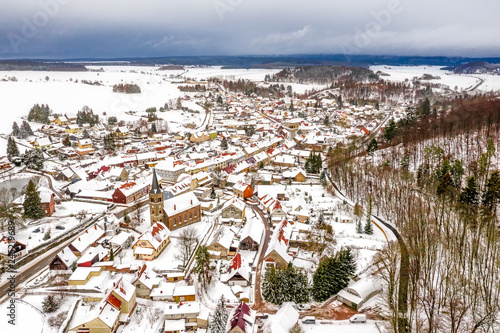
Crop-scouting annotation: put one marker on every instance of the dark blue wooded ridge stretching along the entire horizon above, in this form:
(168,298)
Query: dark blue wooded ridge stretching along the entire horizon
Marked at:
(249,61)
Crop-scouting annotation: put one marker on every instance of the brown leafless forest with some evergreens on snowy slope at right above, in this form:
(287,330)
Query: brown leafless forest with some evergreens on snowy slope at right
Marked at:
(436,180)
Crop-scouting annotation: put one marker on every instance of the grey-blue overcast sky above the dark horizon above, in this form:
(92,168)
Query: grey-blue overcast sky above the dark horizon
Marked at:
(152,28)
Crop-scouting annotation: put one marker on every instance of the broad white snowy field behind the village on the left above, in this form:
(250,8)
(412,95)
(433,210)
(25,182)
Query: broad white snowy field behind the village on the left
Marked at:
(65,93)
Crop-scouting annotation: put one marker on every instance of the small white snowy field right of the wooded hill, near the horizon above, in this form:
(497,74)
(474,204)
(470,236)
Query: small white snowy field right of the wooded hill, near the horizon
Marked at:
(401,73)
